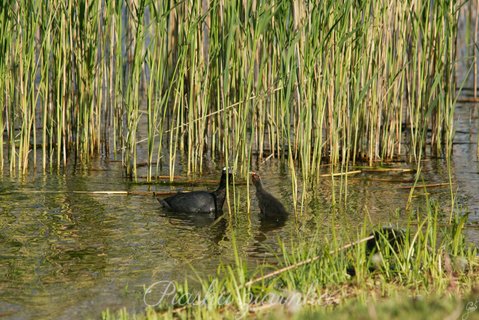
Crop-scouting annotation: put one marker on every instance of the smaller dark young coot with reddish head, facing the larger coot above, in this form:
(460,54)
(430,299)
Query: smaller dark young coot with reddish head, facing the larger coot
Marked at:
(270,207)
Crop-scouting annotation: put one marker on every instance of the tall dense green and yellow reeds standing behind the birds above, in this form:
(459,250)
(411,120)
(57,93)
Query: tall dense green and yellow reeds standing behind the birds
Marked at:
(171,82)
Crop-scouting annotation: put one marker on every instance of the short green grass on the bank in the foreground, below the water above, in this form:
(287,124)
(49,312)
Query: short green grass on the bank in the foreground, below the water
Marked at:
(434,268)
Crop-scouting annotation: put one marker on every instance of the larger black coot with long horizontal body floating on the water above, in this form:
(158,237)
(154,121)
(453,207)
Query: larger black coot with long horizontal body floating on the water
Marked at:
(199,201)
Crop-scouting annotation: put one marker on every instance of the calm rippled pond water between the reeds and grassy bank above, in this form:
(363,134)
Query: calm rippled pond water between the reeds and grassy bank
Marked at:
(69,256)
